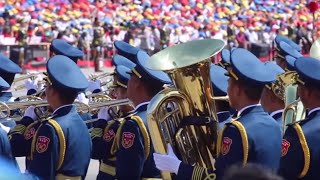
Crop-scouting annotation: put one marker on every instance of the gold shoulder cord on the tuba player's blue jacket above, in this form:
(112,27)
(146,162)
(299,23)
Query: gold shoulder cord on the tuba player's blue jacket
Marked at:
(244,139)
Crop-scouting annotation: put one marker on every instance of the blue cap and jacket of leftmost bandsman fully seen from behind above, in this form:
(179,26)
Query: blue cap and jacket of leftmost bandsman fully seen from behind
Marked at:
(61,146)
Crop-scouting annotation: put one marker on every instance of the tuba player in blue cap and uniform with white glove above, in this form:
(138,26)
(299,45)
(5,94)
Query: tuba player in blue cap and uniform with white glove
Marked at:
(243,140)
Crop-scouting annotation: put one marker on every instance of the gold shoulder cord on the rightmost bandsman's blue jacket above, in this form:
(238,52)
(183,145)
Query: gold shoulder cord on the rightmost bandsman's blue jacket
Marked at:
(305,148)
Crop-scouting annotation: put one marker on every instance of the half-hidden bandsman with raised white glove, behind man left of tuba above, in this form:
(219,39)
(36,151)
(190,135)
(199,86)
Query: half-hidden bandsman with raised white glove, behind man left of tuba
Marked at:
(105,129)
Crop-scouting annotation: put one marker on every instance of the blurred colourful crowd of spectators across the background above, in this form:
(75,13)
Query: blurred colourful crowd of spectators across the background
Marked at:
(153,25)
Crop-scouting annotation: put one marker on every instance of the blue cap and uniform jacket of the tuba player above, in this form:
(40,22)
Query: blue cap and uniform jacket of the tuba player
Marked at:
(244,139)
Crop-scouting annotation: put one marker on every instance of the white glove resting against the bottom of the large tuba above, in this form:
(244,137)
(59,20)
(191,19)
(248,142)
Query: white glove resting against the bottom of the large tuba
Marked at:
(169,162)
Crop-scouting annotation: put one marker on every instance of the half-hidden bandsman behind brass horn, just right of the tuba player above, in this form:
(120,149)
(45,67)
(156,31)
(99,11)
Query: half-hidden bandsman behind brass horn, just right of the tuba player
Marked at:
(272,99)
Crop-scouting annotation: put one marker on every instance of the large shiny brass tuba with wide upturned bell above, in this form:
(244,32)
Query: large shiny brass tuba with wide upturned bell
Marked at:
(188,66)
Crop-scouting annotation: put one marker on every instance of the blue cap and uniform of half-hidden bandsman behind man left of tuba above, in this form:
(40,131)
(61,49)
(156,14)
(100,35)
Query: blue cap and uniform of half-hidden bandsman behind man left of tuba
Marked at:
(104,131)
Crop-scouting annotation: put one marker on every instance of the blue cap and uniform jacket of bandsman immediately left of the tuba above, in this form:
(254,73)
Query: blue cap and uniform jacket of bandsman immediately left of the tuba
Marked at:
(132,140)
